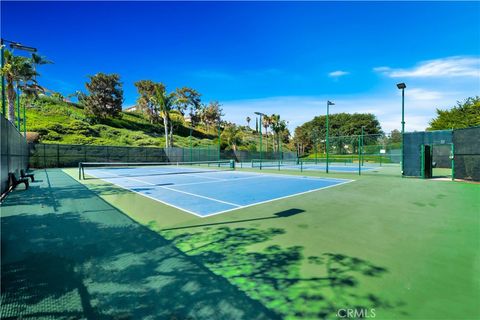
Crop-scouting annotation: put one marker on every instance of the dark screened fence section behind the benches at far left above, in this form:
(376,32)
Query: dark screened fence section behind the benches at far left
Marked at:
(13,150)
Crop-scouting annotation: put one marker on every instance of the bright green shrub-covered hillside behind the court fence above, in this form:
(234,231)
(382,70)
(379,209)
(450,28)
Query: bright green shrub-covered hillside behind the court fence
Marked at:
(53,121)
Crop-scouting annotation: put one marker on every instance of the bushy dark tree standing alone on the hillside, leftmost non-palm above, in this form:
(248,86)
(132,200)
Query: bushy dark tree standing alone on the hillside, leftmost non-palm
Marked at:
(105,96)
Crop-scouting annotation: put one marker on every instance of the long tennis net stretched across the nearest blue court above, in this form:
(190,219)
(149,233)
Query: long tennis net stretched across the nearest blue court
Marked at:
(89,170)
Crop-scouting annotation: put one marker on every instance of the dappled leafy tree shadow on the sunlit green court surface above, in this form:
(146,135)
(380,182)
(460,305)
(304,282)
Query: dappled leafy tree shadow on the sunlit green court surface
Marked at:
(273,276)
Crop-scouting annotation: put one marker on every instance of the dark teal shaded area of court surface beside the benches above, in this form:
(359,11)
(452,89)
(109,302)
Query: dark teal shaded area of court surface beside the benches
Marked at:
(66,253)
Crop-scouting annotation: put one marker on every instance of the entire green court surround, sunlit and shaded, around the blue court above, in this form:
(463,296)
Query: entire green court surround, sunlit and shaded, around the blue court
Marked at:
(406,248)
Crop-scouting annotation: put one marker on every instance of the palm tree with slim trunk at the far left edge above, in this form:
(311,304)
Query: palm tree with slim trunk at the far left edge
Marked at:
(18,71)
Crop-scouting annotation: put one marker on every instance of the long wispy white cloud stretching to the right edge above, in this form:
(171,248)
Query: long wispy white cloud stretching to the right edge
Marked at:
(458,66)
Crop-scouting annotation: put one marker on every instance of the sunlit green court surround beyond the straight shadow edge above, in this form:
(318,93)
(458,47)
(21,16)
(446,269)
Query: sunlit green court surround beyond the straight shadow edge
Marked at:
(408,248)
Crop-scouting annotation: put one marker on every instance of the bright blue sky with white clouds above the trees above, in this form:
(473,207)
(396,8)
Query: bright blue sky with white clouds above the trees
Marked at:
(287,58)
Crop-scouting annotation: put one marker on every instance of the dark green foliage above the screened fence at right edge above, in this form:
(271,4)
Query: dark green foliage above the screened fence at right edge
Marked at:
(463,115)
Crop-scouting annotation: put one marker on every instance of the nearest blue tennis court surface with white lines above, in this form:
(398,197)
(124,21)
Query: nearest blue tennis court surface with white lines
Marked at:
(209,192)
